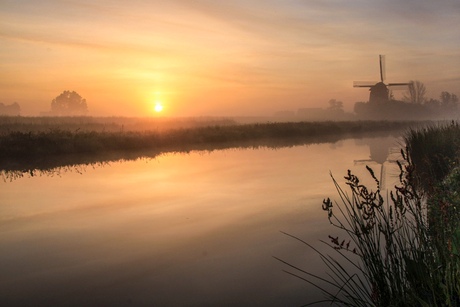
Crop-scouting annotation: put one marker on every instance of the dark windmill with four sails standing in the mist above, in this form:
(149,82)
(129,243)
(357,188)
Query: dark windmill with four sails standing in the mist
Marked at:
(378,90)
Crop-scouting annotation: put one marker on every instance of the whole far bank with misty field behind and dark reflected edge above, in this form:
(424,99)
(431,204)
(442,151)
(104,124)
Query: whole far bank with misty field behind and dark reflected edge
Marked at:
(28,144)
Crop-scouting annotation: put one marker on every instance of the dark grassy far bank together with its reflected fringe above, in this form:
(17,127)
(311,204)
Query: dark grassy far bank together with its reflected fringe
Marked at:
(51,148)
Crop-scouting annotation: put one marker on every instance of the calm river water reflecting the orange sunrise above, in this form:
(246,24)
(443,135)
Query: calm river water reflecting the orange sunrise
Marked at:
(191,229)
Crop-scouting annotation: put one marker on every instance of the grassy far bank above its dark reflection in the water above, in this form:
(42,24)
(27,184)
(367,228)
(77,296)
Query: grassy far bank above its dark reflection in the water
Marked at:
(18,143)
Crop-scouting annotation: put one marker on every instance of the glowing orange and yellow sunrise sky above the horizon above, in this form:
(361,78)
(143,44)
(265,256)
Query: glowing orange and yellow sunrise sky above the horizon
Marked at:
(213,57)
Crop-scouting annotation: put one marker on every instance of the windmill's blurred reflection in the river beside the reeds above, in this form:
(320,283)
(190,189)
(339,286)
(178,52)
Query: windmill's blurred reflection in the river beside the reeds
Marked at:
(383,152)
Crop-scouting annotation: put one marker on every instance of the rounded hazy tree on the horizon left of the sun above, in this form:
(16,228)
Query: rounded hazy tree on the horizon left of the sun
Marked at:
(69,103)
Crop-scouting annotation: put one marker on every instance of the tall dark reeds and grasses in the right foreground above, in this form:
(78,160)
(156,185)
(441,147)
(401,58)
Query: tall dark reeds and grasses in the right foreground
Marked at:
(403,249)
